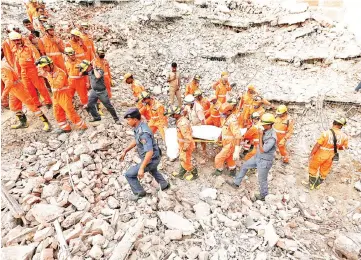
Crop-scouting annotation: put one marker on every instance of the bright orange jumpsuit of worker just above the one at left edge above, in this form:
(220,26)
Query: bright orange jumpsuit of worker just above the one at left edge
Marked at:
(25,58)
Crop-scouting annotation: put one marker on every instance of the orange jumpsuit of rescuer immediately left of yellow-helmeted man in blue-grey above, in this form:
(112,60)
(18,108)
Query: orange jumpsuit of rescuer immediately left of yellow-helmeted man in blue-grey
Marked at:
(230,135)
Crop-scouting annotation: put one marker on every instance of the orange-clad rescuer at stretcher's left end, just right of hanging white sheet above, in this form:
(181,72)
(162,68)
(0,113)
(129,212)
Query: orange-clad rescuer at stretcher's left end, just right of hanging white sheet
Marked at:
(186,144)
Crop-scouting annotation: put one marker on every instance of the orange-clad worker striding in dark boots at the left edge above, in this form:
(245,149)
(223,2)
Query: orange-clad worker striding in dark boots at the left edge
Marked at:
(18,95)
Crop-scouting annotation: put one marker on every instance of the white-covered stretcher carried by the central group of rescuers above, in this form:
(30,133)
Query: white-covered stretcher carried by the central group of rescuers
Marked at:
(202,133)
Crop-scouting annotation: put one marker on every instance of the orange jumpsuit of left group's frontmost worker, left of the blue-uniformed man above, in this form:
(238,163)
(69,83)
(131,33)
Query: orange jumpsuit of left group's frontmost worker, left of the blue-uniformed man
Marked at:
(63,103)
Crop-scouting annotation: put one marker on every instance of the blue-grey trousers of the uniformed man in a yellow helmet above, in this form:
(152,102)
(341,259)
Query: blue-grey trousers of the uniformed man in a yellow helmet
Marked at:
(263,168)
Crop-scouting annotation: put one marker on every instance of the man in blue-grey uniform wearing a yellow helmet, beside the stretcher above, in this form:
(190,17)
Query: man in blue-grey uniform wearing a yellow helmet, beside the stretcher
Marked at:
(263,160)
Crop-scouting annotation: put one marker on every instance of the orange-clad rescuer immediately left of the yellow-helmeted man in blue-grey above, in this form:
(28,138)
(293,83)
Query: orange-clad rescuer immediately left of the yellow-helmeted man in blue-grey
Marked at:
(231,139)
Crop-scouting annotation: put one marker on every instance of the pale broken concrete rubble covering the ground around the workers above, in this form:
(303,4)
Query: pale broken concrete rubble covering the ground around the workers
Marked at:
(292,55)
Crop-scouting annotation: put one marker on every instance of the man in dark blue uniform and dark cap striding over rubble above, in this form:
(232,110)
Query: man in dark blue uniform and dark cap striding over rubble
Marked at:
(148,151)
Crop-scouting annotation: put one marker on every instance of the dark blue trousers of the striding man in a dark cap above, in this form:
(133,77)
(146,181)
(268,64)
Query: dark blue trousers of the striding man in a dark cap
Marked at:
(132,176)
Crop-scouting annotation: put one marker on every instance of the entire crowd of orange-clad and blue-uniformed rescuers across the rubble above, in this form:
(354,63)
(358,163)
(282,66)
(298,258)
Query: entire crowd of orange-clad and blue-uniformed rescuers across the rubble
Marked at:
(39,68)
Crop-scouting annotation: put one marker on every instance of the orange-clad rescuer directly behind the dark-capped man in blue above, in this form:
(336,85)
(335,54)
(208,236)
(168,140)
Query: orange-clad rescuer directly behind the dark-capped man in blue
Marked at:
(158,121)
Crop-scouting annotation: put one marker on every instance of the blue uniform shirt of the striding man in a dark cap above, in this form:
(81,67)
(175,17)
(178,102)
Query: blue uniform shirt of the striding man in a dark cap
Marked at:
(145,141)
